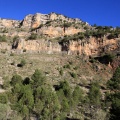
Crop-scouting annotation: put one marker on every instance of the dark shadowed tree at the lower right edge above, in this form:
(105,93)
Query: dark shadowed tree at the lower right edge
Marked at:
(113,97)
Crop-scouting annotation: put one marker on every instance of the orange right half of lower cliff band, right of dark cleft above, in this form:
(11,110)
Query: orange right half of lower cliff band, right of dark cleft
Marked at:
(93,46)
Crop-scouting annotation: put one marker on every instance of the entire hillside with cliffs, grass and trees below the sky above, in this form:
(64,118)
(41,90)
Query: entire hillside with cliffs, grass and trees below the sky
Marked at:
(54,67)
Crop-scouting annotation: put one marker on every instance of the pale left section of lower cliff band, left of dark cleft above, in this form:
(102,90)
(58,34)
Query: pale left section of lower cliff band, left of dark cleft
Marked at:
(38,46)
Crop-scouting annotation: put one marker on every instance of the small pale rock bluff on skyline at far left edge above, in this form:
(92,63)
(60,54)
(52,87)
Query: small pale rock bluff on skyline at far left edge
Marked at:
(6,23)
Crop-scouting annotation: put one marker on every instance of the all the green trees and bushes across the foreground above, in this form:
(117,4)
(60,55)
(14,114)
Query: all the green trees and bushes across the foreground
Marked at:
(34,97)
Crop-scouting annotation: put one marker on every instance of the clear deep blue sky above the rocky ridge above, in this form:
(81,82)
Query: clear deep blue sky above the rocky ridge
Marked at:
(101,12)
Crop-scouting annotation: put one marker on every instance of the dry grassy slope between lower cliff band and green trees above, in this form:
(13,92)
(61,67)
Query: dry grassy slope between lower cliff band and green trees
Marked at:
(50,65)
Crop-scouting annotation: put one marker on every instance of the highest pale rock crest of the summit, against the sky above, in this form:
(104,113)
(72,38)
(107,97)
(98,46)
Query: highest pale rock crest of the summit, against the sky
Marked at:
(34,21)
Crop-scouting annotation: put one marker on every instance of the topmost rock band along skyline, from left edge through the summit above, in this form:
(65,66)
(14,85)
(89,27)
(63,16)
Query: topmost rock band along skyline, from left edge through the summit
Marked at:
(34,21)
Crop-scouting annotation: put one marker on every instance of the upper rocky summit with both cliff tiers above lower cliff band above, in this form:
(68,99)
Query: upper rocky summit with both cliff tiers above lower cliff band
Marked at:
(33,22)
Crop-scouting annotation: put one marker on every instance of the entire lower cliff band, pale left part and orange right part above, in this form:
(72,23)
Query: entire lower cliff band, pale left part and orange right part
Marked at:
(90,47)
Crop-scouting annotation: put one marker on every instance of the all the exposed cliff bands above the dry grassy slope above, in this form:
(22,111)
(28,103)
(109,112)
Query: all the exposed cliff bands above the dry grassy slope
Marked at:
(53,26)
